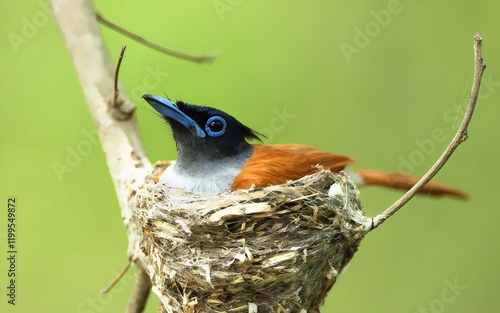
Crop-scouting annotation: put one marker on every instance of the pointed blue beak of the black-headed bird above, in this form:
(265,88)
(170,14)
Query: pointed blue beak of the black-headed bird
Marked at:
(168,108)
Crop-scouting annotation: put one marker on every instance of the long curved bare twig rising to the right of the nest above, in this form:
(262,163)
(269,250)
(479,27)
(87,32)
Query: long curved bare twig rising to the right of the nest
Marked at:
(460,137)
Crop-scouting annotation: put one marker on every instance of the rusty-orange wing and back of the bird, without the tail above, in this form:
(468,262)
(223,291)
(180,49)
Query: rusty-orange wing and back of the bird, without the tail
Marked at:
(276,164)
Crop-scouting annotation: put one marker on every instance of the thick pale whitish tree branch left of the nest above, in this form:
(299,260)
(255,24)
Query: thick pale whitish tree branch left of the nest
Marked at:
(125,155)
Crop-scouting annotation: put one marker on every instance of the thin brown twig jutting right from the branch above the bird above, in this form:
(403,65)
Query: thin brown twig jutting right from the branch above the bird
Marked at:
(178,54)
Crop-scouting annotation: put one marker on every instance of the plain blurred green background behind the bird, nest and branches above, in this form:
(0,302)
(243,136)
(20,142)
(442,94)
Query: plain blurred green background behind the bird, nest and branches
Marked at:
(379,100)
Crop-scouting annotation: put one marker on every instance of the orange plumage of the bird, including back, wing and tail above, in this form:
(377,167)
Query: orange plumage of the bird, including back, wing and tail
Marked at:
(276,164)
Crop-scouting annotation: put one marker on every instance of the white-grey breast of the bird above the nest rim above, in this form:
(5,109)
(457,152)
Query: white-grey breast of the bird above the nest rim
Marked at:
(216,180)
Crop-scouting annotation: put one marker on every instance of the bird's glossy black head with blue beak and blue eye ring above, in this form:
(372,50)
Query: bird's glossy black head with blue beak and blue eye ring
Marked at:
(202,132)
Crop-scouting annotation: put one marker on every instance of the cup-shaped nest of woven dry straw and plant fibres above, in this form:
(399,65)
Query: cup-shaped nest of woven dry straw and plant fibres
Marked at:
(274,249)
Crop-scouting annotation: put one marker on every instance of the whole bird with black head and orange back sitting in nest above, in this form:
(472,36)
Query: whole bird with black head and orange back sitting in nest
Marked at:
(215,156)
